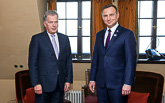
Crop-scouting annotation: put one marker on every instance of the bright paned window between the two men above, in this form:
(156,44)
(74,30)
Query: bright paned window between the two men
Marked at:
(75,21)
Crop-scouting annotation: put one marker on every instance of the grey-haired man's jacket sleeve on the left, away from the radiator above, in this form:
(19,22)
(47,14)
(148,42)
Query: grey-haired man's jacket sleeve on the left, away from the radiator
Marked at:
(33,61)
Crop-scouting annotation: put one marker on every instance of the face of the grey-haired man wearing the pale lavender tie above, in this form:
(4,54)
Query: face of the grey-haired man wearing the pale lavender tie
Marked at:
(51,24)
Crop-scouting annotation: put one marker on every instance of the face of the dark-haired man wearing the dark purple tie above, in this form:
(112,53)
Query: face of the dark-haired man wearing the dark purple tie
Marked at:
(110,17)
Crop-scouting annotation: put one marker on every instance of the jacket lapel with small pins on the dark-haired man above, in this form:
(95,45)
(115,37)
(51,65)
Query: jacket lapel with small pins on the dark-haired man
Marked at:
(114,37)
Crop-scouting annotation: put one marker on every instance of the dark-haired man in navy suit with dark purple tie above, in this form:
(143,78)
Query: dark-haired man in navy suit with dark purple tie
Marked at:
(114,60)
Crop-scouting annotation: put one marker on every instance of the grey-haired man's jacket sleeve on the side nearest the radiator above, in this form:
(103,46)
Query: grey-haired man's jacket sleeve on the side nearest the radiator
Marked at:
(69,63)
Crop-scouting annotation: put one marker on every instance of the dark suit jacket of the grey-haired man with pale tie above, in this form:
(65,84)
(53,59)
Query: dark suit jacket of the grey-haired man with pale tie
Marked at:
(43,64)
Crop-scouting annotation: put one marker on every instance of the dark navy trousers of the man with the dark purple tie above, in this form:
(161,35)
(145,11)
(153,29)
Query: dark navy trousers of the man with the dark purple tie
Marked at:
(106,95)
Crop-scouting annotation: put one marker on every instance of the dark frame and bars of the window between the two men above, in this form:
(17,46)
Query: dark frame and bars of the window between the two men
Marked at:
(79,57)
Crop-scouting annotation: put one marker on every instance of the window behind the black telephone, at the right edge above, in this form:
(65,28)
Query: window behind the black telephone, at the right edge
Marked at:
(151,20)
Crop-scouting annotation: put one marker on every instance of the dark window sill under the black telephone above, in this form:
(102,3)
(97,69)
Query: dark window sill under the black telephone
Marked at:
(146,61)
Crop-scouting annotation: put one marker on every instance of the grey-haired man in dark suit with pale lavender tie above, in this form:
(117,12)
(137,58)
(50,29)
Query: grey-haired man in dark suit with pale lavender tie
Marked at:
(50,62)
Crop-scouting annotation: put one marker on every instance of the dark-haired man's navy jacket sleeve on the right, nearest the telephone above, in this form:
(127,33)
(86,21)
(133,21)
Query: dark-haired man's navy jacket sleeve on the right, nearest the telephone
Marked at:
(131,58)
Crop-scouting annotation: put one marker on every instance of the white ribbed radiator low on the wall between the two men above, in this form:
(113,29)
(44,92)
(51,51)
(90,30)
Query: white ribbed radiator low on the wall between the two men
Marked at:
(74,96)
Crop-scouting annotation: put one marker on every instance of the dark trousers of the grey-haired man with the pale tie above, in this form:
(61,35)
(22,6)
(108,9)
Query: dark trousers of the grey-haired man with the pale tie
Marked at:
(55,96)
